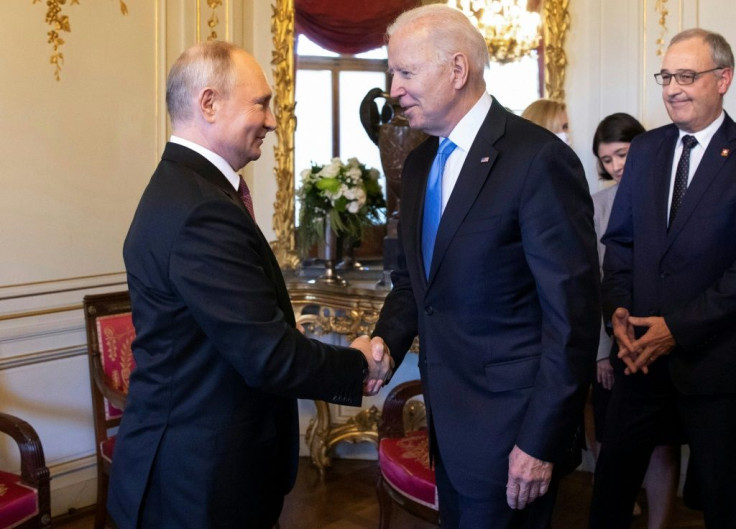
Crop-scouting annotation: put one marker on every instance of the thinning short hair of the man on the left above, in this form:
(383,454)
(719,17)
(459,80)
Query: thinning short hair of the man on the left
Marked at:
(205,64)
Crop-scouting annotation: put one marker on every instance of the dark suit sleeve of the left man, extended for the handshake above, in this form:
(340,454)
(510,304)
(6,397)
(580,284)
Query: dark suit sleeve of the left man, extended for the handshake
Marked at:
(217,268)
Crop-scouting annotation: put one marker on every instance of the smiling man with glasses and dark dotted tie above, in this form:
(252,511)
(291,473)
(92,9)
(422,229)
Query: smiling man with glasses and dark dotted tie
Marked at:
(669,290)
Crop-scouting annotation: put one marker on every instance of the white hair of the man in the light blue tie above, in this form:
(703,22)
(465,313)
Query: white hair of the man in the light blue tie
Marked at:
(450,31)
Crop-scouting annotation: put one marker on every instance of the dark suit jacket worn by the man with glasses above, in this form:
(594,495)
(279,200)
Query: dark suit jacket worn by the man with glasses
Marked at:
(686,273)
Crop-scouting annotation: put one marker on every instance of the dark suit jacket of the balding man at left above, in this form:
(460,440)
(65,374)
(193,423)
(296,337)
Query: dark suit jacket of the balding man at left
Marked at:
(209,437)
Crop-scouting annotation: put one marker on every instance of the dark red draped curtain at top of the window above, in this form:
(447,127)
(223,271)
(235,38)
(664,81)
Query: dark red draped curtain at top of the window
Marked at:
(348,26)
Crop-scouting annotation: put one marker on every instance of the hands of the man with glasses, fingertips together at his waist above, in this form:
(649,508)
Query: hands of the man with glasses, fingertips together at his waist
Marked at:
(640,354)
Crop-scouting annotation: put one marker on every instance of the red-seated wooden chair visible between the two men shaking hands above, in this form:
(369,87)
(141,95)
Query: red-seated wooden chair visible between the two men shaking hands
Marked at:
(405,477)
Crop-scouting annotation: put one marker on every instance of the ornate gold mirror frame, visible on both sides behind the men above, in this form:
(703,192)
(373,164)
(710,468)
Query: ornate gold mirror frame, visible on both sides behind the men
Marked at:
(556,22)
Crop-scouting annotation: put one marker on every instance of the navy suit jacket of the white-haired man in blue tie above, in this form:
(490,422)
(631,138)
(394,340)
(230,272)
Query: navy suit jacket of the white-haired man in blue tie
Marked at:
(508,320)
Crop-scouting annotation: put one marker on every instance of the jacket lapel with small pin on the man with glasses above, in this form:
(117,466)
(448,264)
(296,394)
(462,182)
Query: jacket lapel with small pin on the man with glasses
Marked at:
(723,142)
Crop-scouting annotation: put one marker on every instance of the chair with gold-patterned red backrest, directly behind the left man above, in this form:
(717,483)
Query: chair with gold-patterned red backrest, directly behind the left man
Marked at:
(110,334)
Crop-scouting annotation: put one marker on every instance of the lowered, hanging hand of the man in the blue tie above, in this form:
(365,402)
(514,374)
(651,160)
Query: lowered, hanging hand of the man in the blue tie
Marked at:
(529,478)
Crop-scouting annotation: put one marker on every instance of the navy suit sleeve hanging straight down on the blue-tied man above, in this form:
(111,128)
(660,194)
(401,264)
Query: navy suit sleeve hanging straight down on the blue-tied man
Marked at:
(556,221)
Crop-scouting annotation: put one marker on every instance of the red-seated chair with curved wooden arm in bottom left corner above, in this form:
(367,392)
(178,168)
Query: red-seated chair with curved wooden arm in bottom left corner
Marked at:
(25,501)
